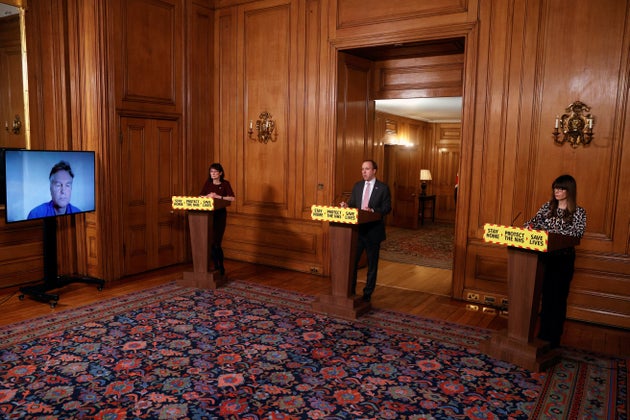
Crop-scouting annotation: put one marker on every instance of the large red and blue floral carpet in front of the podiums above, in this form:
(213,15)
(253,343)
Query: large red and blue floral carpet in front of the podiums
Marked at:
(249,351)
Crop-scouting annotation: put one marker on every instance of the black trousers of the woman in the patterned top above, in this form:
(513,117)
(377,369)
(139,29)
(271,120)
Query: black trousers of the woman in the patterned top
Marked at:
(558,272)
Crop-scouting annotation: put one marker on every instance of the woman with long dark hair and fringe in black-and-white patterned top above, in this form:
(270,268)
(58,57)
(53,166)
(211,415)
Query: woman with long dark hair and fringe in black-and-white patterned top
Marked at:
(562,215)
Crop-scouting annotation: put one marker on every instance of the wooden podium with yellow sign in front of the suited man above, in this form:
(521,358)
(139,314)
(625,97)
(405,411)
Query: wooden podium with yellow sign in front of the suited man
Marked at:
(344,232)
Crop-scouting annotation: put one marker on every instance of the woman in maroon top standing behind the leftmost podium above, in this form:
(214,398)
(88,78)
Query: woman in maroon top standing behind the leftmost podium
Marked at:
(218,188)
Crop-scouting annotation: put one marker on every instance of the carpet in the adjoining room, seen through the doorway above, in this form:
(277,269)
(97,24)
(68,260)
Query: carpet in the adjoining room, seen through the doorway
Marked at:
(430,245)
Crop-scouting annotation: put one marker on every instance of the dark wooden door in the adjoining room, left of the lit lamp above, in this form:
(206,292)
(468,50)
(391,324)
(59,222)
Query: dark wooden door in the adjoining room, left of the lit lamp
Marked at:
(403,171)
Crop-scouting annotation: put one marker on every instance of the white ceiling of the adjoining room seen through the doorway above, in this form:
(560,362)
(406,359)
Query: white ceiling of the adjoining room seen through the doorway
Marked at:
(432,110)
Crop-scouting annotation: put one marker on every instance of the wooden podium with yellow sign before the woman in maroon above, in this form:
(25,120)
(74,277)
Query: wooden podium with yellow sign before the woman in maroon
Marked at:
(200,222)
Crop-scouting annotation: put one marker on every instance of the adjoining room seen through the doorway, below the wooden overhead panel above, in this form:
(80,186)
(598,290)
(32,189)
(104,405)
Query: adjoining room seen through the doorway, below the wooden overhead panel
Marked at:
(422,173)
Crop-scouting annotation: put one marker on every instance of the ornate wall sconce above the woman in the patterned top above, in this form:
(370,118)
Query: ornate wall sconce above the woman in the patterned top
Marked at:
(576,128)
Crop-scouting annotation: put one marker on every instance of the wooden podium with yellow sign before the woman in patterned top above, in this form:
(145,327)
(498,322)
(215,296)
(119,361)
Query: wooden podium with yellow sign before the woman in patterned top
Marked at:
(518,344)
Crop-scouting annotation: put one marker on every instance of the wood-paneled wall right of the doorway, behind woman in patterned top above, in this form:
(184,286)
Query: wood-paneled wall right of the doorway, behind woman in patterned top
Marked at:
(515,158)
